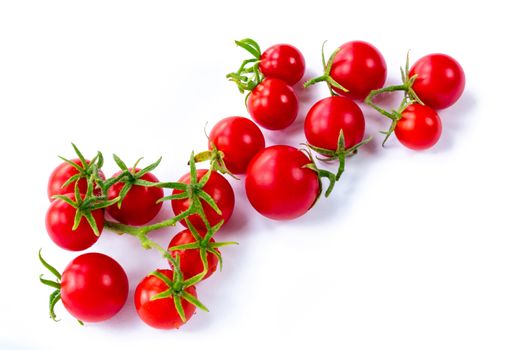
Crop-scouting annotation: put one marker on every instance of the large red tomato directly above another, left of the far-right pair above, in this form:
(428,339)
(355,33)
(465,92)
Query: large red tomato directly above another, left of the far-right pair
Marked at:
(360,68)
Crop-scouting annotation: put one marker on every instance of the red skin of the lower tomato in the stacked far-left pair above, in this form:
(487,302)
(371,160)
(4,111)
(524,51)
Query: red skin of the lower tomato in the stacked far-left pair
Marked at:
(60,218)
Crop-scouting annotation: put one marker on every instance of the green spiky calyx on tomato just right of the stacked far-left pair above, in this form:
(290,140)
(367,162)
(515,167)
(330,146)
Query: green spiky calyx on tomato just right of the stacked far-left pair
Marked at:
(130,177)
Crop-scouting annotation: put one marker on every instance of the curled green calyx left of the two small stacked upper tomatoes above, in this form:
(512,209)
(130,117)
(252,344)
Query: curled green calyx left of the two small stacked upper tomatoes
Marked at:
(248,76)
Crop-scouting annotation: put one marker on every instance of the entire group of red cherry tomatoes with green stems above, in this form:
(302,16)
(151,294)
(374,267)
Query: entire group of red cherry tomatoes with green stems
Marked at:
(281,182)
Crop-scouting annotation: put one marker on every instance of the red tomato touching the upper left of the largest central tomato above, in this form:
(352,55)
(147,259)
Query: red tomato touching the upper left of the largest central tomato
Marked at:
(239,139)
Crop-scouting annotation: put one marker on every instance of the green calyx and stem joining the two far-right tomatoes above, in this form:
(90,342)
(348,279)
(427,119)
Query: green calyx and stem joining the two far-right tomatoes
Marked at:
(409,97)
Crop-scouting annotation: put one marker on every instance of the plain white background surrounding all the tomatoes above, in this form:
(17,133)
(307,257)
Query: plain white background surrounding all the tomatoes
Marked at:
(412,251)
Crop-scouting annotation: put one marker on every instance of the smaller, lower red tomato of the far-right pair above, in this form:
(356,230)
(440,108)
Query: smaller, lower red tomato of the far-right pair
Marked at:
(419,127)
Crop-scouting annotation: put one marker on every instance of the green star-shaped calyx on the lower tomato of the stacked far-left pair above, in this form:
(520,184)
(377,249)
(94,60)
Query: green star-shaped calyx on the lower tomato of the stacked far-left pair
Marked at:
(85,204)
